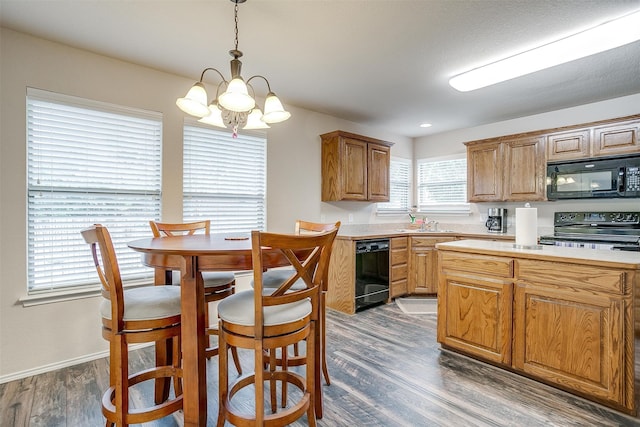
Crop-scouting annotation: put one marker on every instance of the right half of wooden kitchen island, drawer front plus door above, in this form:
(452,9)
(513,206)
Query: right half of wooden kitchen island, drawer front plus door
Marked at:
(568,325)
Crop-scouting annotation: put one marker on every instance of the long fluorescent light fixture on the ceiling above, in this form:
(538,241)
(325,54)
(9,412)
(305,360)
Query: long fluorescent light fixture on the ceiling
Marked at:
(603,37)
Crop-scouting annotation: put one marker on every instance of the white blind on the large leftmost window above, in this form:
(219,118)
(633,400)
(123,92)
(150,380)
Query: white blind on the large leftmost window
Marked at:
(88,162)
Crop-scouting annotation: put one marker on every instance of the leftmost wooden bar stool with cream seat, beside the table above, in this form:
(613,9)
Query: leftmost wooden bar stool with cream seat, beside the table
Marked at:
(138,315)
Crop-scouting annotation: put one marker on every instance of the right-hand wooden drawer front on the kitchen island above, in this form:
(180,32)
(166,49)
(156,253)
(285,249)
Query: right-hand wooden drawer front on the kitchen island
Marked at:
(582,277)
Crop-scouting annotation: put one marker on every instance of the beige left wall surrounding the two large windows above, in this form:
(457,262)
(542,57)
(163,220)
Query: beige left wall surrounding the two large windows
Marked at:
(46,336)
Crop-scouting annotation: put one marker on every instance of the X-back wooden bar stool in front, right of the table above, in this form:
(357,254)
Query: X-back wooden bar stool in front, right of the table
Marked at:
(268,319)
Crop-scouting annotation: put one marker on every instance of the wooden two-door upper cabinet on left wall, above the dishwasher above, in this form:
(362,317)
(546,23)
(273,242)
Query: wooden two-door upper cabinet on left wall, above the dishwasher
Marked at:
(355,167)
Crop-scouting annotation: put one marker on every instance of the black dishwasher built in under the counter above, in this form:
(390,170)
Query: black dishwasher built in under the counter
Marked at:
(372,272)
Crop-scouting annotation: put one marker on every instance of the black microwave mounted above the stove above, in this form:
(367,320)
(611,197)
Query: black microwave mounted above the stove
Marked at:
(603,178)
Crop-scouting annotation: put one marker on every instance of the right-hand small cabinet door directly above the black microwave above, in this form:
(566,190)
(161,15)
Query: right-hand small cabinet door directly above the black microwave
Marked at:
(621,138)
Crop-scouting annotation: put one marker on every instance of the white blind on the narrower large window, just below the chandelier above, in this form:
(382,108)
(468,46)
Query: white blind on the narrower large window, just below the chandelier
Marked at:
(224,179)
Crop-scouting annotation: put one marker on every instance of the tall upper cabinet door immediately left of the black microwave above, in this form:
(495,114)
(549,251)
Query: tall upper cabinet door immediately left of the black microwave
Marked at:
(524,170)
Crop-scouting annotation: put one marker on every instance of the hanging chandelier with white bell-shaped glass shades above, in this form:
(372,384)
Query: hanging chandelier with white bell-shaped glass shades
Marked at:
(234,108)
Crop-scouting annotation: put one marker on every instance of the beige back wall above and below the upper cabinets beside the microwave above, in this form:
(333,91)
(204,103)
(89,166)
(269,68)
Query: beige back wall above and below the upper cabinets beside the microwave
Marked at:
(452,143)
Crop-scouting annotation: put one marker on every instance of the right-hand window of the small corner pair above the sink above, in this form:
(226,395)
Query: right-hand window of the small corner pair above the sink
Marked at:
(442,185)
